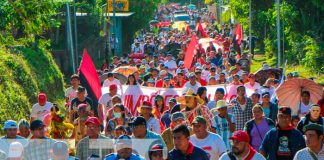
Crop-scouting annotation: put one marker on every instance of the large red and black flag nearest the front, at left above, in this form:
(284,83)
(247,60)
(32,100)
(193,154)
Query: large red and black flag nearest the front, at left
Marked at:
(89,77)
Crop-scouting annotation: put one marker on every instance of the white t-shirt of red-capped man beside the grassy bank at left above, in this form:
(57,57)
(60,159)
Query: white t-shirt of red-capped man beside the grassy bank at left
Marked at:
(39,112)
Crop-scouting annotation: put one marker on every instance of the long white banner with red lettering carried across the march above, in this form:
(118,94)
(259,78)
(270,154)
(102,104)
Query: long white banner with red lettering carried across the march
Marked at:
(134,95)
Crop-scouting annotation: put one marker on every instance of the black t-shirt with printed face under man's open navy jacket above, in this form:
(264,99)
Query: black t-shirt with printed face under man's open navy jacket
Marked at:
(284,149)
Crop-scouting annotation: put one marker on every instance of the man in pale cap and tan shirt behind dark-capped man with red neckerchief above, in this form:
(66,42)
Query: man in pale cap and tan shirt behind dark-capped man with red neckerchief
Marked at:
(177,118)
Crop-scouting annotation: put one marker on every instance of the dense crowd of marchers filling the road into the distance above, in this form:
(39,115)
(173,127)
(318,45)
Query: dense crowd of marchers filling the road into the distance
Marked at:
(192,126)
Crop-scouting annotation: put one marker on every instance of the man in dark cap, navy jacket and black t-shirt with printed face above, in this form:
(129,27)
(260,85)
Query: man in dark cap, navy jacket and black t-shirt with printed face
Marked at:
(284,141)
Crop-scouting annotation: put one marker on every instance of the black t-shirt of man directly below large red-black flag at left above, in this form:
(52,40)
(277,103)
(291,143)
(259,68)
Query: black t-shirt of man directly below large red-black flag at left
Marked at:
(74,107)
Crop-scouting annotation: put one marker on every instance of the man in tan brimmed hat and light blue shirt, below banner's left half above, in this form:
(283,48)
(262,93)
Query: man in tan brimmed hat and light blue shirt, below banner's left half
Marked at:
(146,110)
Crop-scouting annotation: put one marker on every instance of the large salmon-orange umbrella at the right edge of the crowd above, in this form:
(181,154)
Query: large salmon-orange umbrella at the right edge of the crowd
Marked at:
(289,92)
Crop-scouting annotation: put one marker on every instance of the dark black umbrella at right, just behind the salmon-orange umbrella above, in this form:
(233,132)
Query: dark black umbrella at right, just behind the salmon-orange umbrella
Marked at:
(262,75)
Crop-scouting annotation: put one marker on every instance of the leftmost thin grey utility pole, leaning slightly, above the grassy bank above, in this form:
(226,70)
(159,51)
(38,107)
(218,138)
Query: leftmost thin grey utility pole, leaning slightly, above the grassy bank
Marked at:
(70,39)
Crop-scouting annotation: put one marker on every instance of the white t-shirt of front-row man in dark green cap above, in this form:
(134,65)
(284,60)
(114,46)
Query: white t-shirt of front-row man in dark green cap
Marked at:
(213,144)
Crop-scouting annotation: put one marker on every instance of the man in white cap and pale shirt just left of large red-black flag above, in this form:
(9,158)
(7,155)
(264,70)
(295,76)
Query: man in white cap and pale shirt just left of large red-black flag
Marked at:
(71,92)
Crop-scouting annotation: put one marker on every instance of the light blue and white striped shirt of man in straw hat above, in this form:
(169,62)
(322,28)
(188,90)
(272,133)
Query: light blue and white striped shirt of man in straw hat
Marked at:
(222,128)
